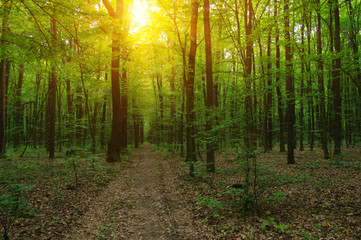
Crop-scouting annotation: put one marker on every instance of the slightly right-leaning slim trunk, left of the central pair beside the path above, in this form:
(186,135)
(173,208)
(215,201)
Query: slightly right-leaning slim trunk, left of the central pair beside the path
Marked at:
(190,115)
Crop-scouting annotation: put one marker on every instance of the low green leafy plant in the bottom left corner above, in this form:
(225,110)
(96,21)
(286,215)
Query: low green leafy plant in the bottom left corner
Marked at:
(13,205)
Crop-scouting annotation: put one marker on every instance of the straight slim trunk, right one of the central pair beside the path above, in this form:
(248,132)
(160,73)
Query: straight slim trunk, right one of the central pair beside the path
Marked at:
(210,87)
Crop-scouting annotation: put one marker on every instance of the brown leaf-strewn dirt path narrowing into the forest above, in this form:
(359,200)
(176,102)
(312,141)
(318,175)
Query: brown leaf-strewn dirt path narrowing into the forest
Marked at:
(145,202)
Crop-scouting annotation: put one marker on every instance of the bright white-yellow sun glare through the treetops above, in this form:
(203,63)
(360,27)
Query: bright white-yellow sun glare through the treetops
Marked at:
(140,14)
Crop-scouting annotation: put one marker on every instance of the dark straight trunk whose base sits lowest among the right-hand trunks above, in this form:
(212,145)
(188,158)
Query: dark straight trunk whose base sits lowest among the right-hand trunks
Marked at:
(290,115)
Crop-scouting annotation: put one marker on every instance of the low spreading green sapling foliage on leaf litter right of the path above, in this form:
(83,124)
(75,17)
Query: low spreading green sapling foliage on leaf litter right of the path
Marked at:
(258,185)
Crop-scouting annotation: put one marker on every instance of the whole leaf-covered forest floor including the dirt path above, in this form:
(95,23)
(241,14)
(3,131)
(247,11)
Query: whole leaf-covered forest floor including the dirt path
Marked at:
(151,196)
